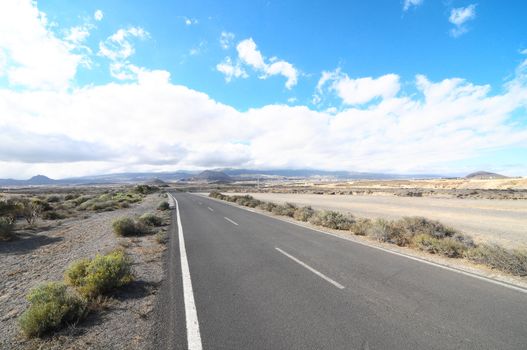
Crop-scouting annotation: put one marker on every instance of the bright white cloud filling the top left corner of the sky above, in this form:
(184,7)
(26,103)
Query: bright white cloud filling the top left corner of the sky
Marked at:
(36,57)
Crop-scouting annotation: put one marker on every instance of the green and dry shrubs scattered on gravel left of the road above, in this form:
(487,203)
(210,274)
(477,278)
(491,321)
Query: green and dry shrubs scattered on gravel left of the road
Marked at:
(89,284)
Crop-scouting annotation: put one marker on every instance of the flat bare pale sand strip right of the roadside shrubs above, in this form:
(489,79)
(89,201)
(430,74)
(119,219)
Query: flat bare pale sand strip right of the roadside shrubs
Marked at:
(499,221)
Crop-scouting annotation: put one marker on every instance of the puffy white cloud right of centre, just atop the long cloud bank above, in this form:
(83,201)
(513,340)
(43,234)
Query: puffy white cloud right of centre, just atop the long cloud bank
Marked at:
(358,91)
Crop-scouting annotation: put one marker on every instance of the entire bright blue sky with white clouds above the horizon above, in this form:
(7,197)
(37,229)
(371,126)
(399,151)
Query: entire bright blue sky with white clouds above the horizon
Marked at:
(401,86)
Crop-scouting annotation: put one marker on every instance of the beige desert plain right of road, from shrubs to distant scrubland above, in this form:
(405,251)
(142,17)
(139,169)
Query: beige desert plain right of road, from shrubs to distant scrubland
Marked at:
(491,210)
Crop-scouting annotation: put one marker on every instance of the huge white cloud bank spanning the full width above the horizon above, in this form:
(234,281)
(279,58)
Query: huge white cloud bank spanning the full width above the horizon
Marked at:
(152,124)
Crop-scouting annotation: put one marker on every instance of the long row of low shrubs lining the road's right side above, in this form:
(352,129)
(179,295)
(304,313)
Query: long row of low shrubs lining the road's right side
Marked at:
(415,232)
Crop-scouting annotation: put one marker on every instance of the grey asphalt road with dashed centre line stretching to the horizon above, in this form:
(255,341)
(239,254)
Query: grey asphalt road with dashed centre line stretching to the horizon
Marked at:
(261,283)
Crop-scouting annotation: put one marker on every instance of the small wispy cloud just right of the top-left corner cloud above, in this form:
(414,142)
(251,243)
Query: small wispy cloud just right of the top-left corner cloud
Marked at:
(118,48)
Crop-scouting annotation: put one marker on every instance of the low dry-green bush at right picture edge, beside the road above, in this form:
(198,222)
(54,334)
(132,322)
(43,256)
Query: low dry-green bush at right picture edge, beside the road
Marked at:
(508,260)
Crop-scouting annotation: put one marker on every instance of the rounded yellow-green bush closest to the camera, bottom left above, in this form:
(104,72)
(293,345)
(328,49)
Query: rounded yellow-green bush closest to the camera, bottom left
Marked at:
(52,305)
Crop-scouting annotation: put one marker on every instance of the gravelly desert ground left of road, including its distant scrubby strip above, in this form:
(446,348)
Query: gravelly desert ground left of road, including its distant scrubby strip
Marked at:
(41,253)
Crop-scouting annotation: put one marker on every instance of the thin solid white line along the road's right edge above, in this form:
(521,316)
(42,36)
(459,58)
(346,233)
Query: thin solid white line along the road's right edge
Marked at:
(452,269)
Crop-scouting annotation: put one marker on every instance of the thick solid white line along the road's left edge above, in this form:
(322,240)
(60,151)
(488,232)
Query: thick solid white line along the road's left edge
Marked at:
(191,315)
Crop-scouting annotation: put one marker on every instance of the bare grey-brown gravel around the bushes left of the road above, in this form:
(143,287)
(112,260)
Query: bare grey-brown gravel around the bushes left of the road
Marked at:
(45,254)
